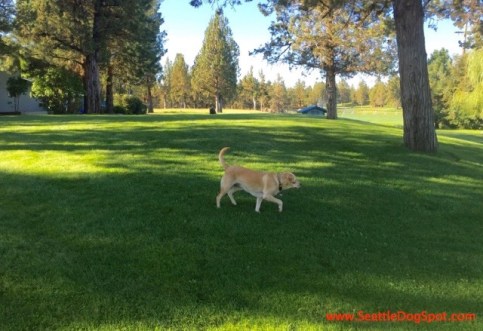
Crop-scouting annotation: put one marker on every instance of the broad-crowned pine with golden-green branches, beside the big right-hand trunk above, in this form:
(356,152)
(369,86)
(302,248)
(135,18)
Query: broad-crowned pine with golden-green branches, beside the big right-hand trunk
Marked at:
(326,38)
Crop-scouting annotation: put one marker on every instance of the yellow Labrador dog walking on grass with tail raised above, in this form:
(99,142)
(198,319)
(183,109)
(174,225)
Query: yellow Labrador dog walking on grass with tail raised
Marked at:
(262,185)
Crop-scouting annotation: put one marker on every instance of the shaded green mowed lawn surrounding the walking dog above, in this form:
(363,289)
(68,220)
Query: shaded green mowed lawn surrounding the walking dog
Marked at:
(109,223)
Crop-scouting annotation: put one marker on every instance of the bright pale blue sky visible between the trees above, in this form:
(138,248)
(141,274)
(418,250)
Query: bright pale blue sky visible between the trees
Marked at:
(185,26)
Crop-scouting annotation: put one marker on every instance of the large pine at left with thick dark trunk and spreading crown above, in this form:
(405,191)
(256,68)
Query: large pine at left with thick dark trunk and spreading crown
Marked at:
(77,35)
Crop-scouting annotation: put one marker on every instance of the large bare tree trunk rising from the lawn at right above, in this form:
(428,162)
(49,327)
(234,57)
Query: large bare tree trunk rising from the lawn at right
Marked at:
(418,115)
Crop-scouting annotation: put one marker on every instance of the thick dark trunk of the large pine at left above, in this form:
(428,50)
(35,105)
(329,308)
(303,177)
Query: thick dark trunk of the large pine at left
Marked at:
(92,87)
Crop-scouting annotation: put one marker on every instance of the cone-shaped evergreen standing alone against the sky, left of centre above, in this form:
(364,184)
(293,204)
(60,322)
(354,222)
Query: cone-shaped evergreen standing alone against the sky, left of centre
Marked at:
(216,67)
